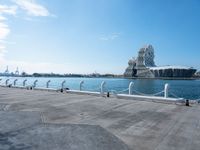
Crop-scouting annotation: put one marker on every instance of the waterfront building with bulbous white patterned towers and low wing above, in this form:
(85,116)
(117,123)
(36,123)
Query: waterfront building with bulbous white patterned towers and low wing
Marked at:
(144,66)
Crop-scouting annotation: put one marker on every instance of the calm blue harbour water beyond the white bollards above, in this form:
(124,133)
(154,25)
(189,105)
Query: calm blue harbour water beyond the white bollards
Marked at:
(189,89)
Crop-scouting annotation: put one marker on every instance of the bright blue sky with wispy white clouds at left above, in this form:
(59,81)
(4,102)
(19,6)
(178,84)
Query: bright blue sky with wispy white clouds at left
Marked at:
(85,36)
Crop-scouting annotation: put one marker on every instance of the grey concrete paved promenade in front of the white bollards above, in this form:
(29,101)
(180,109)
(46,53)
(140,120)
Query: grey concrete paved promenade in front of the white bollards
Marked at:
(43,120)
